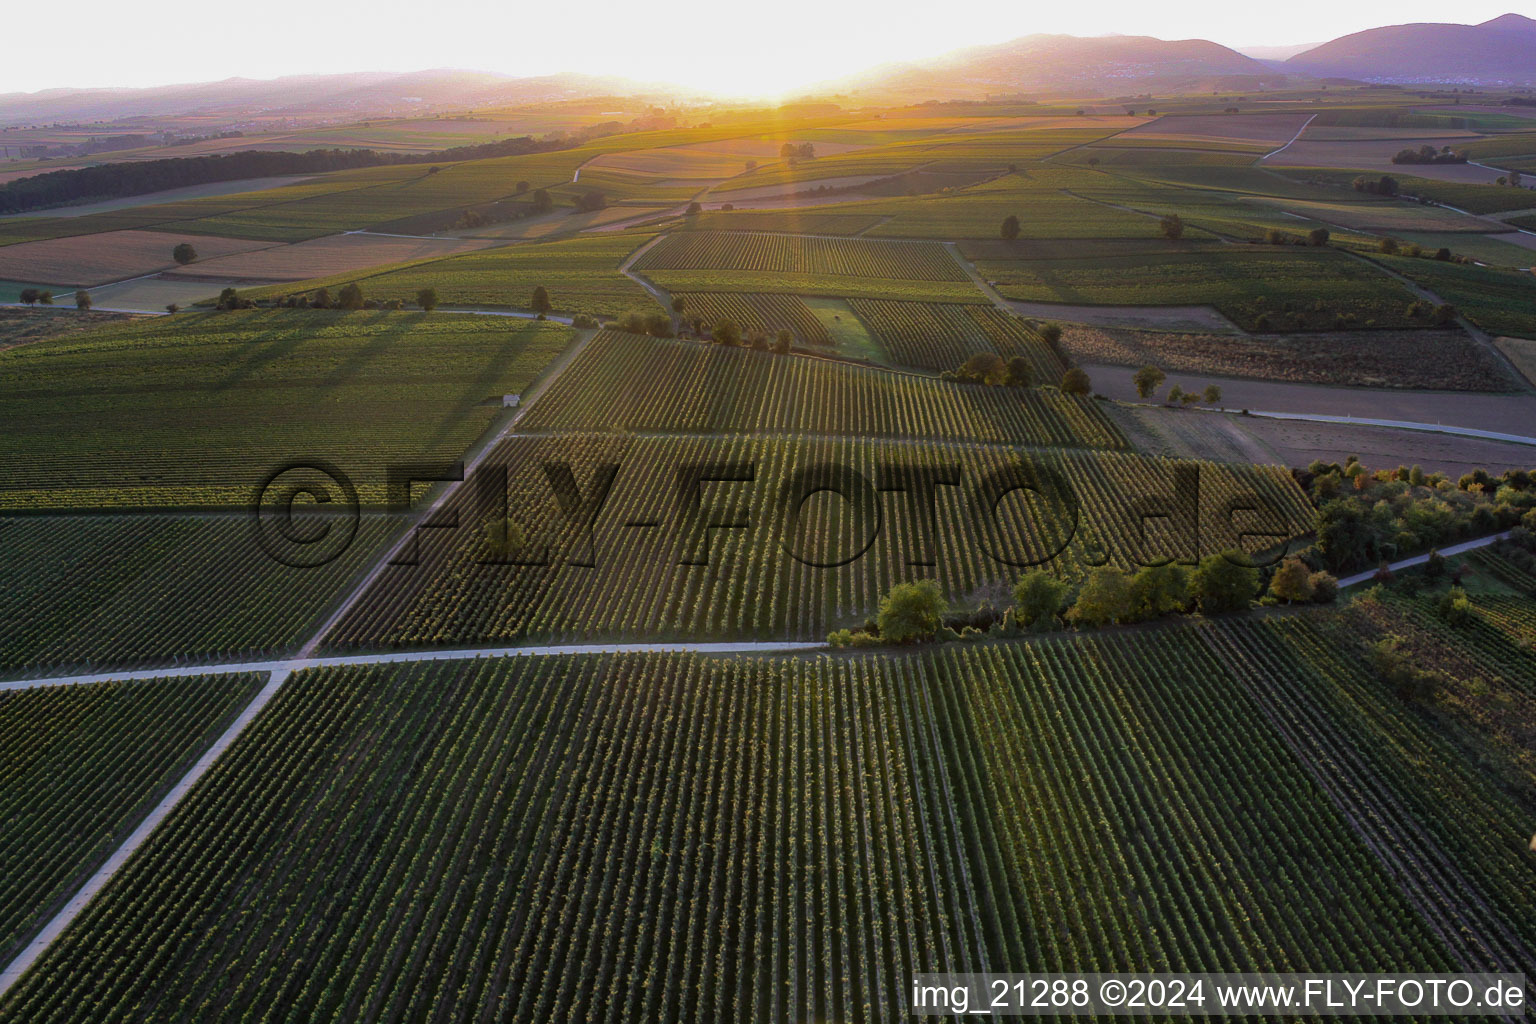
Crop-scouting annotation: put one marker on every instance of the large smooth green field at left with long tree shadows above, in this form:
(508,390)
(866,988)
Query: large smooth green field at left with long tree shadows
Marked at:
(199,409)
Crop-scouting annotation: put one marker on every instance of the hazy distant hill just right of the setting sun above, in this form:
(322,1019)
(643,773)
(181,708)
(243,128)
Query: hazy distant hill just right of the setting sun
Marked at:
(1065,65)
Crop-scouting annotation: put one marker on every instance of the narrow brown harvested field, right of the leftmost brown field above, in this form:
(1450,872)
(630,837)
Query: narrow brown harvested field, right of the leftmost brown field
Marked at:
(325,257)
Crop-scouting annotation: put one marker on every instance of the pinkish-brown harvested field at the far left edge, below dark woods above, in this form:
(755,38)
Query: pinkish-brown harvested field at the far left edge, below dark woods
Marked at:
(88,260)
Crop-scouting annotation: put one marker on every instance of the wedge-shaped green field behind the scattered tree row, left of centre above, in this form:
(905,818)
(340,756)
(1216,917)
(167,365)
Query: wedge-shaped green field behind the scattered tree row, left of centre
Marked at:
(580,274)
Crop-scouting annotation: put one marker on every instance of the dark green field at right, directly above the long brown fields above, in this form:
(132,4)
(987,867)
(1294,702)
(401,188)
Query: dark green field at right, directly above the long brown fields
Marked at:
(1291,288)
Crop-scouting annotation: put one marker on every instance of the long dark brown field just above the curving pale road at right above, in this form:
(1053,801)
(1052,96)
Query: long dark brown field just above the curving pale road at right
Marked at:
(1445,360)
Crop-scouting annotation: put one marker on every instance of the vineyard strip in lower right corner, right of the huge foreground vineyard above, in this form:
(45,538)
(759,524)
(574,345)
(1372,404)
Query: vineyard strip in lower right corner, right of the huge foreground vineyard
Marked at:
(1452,837)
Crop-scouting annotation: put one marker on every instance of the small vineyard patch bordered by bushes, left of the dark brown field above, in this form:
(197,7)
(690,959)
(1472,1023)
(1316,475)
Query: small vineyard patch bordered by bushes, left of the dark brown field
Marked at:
(938,337)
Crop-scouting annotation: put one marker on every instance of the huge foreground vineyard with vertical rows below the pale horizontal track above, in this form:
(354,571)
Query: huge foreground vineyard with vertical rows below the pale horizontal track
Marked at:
(672,837)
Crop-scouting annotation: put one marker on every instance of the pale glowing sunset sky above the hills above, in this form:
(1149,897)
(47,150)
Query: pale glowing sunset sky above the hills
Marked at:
(744,48)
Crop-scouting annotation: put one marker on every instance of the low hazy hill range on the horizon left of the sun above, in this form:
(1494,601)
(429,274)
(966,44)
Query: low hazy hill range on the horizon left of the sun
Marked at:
(363,94)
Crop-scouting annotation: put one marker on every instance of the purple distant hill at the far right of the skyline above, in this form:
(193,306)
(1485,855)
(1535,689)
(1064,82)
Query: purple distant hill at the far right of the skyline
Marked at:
(1497,53)
